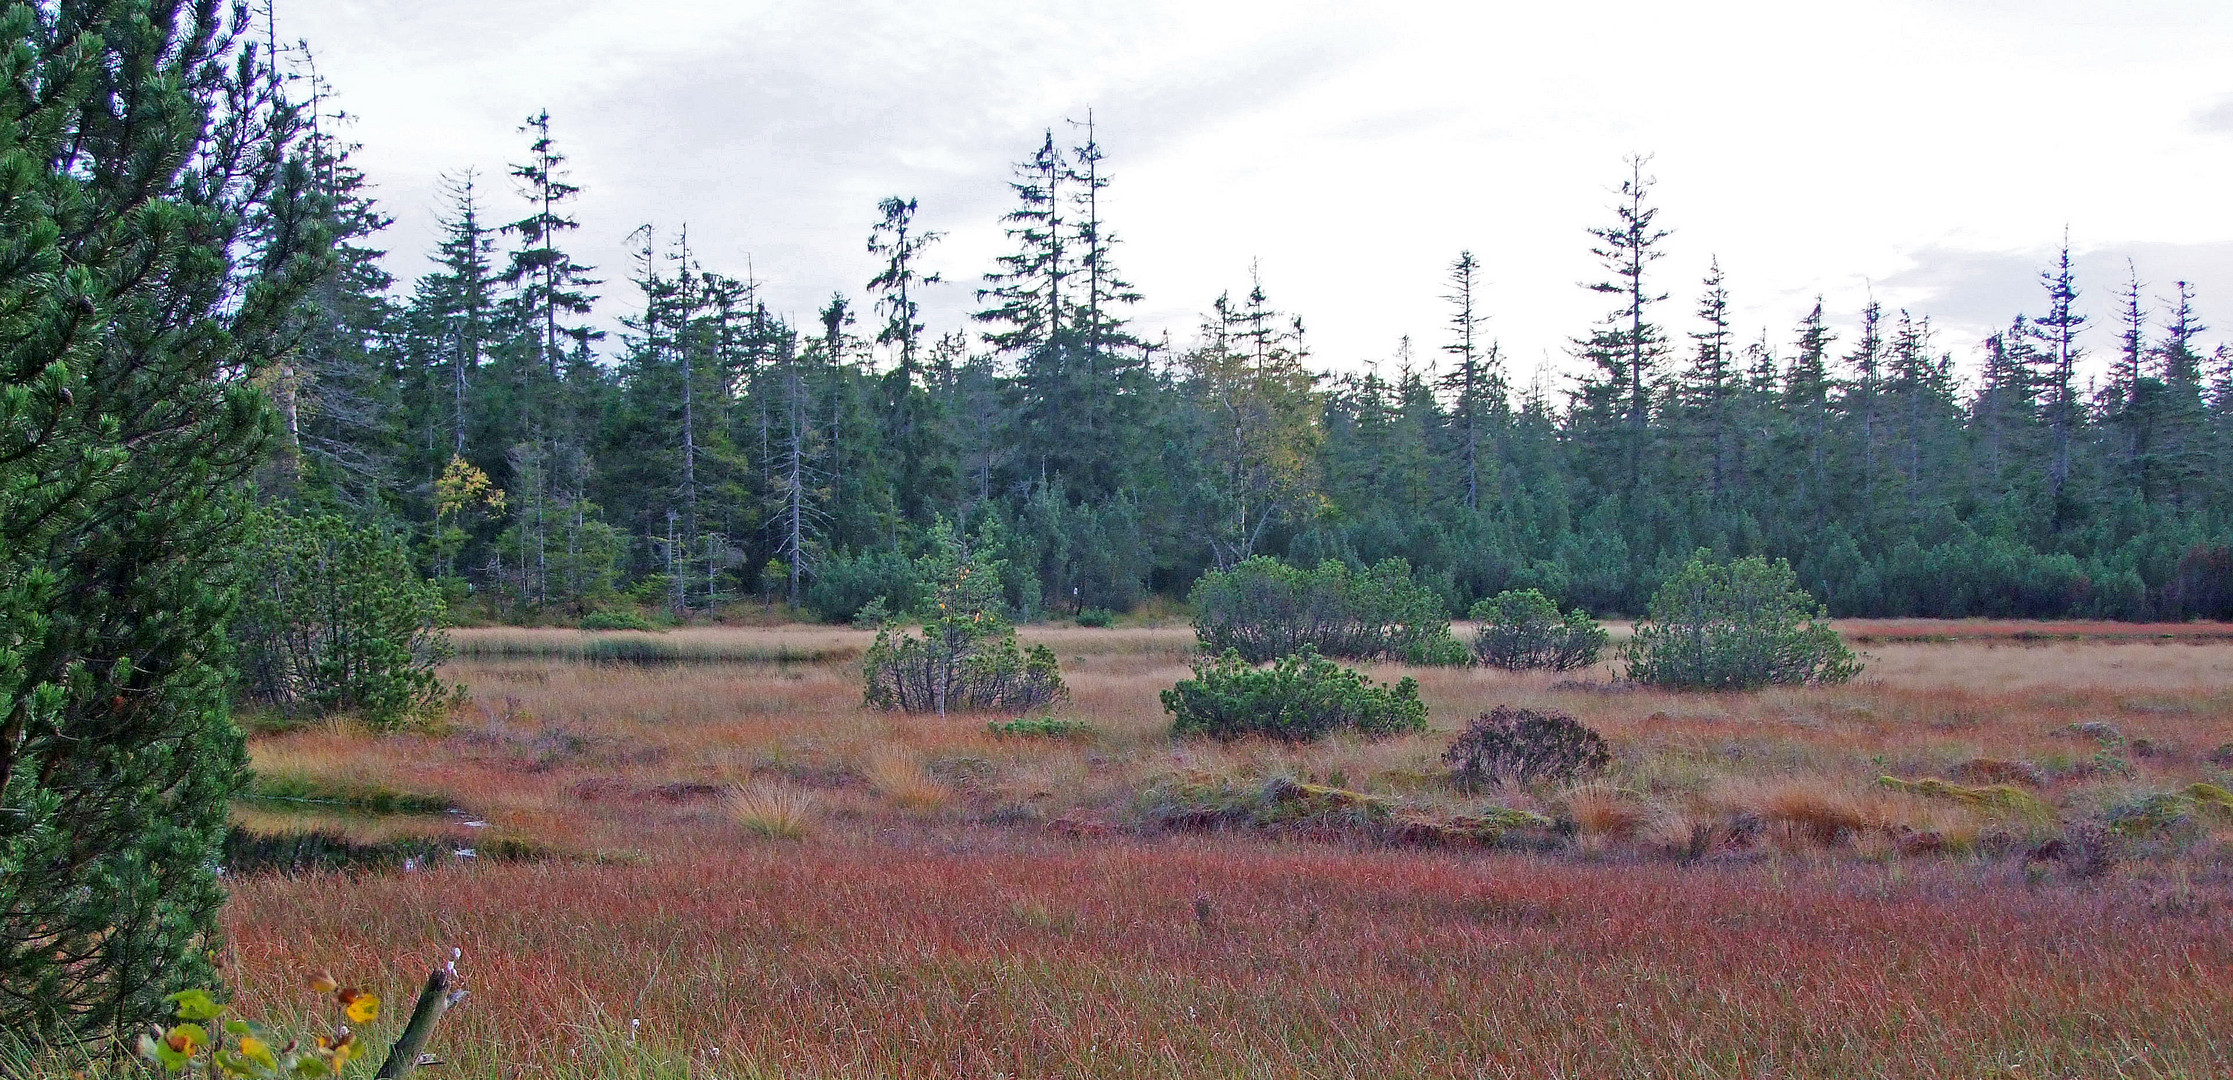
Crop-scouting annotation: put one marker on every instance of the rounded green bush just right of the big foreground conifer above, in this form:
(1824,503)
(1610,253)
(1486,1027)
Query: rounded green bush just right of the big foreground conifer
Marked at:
(338,621)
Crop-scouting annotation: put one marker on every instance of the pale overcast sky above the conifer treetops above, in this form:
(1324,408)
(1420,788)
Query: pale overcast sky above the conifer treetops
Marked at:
(1921,153)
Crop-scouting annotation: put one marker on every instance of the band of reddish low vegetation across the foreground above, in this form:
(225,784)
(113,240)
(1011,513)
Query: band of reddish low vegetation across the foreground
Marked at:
(961,956)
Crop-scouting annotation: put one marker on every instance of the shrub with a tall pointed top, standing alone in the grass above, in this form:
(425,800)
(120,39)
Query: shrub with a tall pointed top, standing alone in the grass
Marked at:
(968,657)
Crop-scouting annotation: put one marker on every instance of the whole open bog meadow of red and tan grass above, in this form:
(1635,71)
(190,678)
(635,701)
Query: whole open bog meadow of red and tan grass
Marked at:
(745,874)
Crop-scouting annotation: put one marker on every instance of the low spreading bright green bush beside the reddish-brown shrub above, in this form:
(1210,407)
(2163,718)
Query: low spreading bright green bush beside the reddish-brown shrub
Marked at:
(1298,697)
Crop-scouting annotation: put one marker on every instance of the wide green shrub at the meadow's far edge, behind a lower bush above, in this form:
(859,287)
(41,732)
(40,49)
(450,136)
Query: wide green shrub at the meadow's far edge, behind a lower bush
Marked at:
(1265,610)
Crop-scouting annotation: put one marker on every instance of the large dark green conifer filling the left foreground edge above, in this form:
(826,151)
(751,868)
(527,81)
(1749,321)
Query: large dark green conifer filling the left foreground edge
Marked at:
(155,240)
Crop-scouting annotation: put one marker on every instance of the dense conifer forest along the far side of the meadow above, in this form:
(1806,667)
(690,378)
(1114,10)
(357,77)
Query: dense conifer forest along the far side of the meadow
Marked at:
(713,452)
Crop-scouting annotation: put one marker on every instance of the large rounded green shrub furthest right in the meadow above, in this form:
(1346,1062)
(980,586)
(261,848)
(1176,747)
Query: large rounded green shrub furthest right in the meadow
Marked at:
(1736,626)
